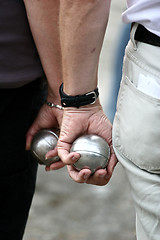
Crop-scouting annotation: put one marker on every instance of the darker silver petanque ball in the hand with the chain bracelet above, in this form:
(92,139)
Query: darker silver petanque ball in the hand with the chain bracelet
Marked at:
(44,141)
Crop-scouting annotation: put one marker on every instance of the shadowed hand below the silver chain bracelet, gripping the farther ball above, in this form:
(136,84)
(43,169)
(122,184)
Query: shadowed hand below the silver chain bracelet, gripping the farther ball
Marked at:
(47,118)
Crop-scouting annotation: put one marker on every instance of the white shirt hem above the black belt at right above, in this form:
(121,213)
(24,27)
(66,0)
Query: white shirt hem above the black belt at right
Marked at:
(145,12)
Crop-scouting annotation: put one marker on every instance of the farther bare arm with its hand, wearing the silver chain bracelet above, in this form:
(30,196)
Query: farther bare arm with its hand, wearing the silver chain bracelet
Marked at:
(43,17)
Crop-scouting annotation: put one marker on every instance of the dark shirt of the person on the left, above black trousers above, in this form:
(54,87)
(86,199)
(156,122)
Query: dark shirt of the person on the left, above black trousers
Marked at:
(19,60)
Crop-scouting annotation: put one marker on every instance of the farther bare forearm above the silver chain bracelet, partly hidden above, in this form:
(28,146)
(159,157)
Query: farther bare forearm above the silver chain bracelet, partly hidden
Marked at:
(43,18)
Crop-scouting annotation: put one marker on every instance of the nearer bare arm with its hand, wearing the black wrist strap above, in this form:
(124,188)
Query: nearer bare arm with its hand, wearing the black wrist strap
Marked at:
(82,29)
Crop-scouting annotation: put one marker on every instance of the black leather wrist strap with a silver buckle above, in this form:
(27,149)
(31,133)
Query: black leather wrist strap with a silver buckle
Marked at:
(78,100)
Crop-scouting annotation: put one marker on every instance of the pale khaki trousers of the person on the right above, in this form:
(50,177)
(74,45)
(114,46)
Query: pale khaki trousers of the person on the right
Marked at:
(136,134)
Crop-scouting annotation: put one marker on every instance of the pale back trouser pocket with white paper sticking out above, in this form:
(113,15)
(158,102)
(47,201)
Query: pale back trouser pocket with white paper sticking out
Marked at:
(136,127)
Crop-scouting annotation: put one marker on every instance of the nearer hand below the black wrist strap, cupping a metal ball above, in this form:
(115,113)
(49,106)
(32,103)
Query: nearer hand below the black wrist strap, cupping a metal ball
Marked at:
(89,119)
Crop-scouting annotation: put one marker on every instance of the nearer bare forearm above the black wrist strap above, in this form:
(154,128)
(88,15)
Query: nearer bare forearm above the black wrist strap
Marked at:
(82,29)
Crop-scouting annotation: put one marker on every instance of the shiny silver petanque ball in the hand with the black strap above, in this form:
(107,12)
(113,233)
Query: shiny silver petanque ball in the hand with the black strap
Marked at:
(94,151)
